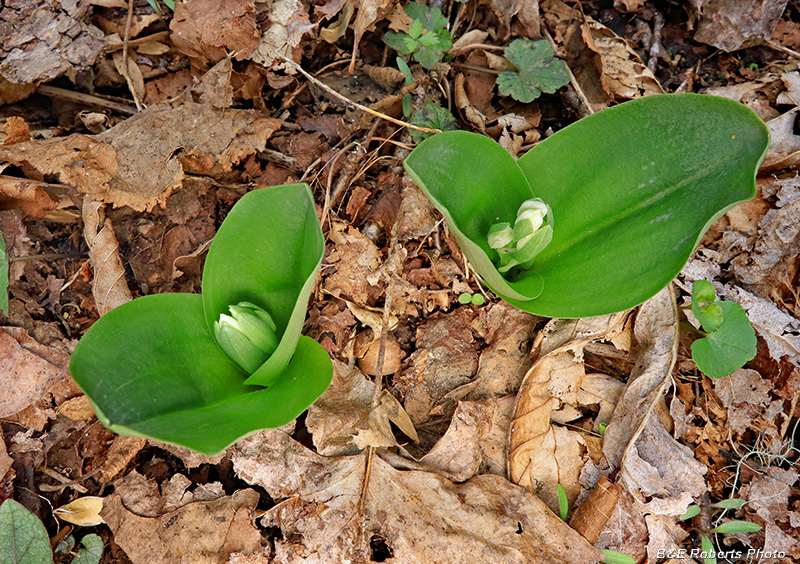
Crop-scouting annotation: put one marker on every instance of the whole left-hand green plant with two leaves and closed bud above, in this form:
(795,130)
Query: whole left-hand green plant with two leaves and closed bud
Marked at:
(202,371)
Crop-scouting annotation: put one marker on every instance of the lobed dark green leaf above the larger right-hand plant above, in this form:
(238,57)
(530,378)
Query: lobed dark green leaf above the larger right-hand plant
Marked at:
(537,70)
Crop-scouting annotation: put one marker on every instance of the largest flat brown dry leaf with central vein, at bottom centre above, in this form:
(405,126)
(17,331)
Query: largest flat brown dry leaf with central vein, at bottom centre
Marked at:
(332,507)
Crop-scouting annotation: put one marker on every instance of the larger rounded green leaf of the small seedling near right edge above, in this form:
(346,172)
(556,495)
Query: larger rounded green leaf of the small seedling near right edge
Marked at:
(729,347)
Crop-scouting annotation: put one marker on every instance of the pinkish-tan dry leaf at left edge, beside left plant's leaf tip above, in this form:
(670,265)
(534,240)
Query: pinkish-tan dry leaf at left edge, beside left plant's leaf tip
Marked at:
(28,370)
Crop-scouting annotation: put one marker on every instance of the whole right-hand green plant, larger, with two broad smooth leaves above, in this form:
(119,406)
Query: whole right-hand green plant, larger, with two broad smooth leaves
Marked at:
(629,192)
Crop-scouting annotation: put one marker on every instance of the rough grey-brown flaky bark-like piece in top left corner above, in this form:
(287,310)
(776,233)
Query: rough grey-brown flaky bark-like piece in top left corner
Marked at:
(43,40)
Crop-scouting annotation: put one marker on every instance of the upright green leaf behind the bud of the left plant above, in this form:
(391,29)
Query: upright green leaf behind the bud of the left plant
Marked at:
(273,235)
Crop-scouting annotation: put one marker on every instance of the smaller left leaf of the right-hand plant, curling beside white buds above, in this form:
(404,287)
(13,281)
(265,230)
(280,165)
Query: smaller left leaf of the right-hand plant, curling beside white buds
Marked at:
(474,183)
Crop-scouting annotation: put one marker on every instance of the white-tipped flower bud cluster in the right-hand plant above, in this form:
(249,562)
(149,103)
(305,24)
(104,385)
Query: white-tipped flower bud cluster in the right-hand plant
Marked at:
(517,246)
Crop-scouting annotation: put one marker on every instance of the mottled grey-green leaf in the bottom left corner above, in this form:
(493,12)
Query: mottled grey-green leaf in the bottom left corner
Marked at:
(23,538)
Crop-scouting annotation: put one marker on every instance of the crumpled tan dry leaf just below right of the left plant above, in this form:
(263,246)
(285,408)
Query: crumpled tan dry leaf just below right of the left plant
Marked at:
(344,421)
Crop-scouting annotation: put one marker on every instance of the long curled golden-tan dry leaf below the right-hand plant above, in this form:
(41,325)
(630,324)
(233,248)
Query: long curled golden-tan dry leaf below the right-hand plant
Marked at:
(543,455)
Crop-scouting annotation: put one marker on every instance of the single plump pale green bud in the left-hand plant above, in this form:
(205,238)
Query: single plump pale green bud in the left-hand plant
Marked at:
(248,336)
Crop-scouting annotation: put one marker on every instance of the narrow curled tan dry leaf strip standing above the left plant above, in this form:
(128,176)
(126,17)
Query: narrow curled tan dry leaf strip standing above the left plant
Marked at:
(108,285)
